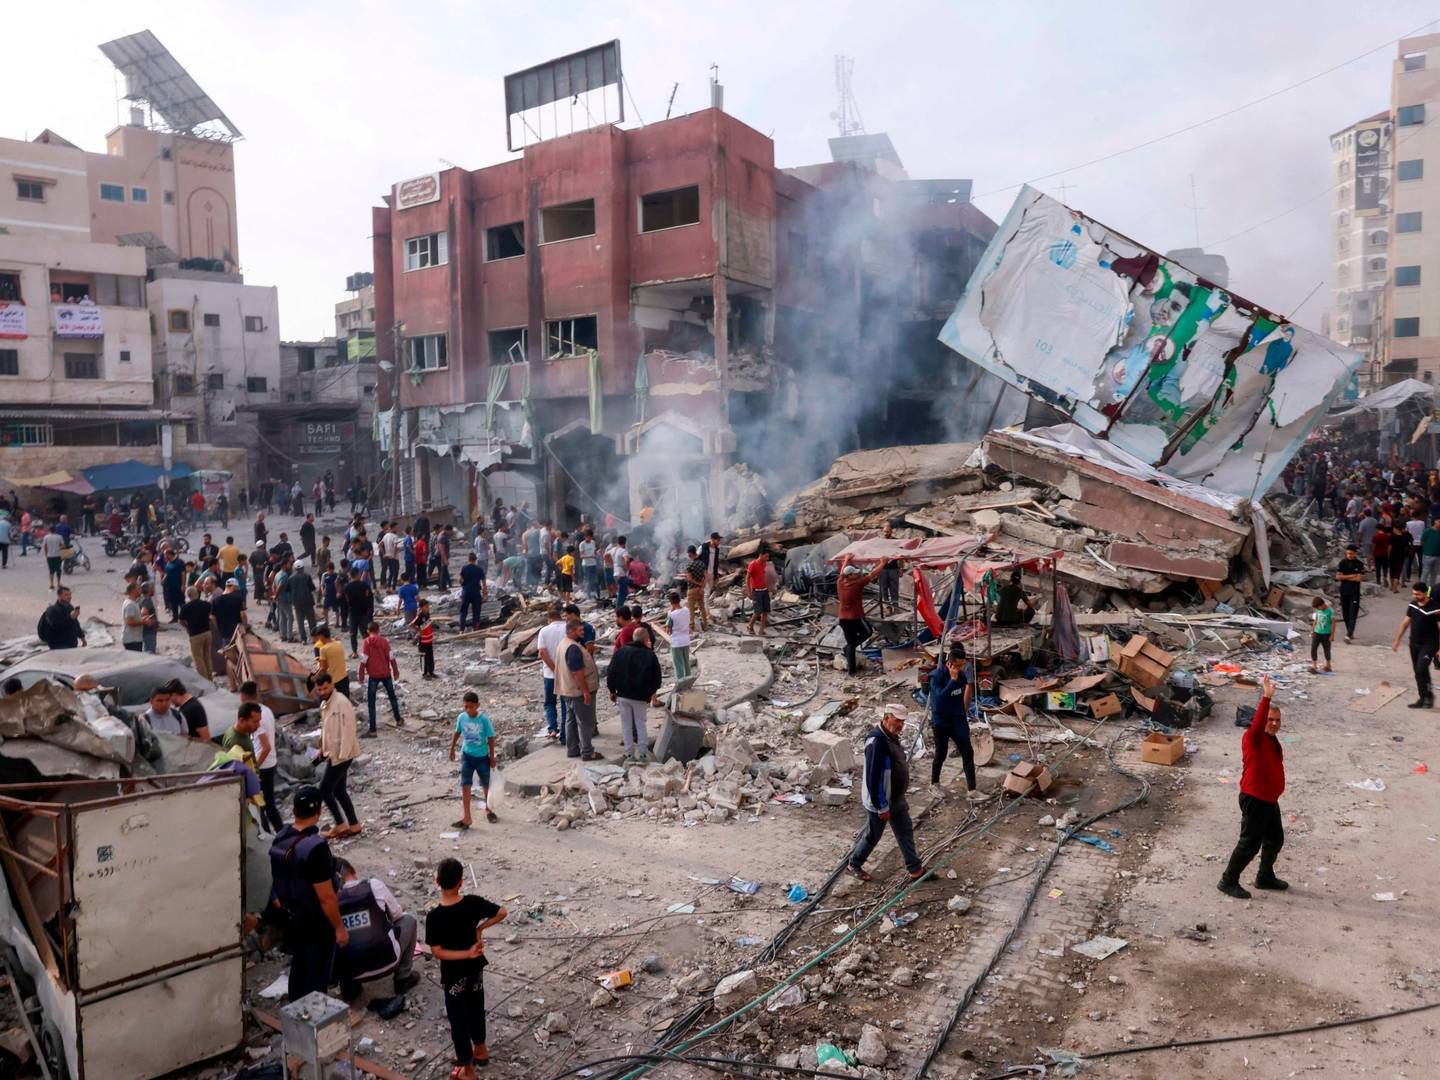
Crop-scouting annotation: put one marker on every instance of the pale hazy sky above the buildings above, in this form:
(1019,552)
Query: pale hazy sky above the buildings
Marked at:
(339,100)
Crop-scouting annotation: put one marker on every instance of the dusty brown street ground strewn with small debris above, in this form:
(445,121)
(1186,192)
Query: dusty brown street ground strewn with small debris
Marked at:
(595,898)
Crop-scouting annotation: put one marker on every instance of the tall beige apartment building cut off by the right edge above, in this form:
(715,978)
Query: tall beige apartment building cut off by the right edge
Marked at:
(1412,297)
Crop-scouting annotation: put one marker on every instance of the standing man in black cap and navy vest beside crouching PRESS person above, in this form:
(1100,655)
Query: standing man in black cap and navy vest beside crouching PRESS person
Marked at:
(305,898)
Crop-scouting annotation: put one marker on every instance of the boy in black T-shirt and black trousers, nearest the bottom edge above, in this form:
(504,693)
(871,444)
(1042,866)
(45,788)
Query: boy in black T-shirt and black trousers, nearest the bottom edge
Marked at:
(454,931)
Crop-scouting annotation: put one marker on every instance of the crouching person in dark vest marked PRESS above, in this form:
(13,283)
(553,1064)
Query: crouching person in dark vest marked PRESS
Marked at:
(382,934)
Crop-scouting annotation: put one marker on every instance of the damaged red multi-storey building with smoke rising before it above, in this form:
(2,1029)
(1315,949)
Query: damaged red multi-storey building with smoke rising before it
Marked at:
(618,318)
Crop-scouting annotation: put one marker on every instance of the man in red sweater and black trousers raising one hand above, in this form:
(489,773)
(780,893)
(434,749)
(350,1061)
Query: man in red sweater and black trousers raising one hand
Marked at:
(1262,783)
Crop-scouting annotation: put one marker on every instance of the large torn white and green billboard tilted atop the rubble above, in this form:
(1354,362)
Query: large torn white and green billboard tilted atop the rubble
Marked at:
(1143,352)
